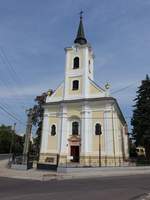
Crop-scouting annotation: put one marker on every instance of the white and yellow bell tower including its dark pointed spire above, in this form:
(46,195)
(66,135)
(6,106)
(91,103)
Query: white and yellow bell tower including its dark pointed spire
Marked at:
(79,66)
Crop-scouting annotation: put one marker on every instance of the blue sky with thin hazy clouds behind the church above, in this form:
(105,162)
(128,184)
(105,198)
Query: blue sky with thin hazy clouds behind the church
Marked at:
(34,33)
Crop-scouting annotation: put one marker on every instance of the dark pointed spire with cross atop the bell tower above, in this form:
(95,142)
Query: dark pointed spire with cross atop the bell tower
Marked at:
(80,38)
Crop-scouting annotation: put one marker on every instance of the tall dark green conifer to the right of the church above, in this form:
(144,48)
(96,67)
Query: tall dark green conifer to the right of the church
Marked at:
(141,117)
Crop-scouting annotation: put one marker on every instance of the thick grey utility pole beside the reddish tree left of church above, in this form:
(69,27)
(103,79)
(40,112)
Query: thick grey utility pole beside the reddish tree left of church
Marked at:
(27,135)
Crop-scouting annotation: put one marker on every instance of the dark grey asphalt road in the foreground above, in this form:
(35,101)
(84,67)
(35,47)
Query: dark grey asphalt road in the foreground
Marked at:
(114,188)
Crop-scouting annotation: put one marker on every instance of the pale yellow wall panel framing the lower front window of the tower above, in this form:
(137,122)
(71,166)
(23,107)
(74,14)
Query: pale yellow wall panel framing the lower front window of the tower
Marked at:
(75,92)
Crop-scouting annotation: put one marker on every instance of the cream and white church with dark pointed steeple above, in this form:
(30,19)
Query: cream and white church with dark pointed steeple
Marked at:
(82,124)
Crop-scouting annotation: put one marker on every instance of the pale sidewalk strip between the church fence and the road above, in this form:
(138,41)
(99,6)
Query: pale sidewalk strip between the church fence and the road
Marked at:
(71,173)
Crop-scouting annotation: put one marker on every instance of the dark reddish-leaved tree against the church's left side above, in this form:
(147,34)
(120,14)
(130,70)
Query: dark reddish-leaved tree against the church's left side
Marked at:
(37,119)
